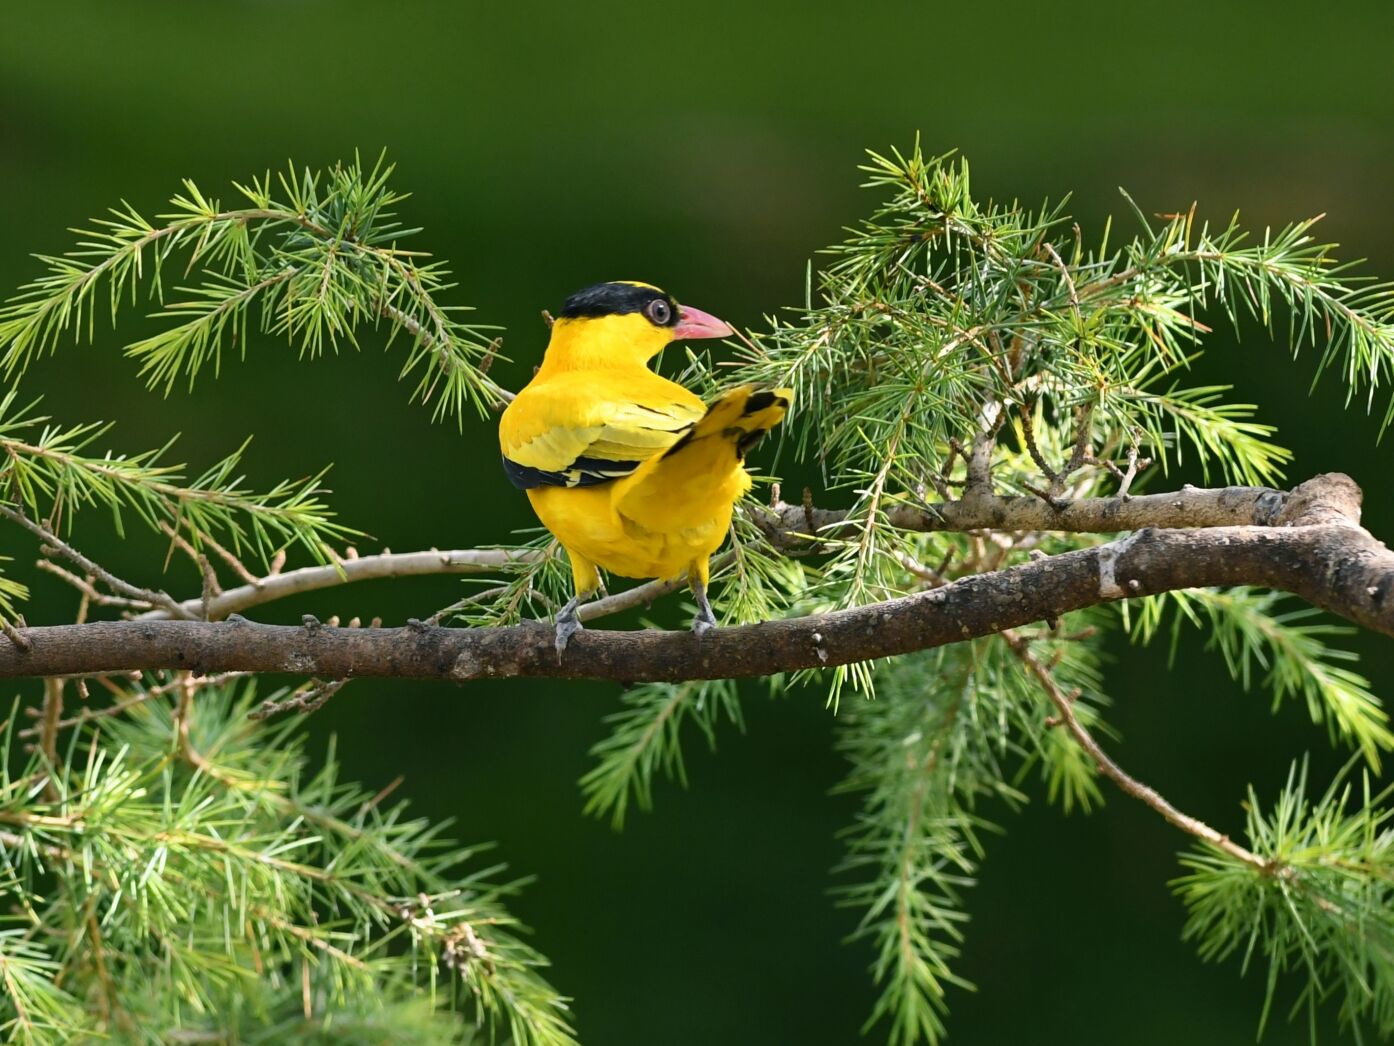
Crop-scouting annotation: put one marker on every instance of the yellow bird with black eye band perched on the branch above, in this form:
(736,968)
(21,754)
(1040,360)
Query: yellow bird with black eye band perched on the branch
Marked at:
(631,472)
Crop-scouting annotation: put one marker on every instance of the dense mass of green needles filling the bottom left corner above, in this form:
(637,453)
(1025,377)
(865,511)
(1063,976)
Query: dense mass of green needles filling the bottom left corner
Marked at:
(183,870)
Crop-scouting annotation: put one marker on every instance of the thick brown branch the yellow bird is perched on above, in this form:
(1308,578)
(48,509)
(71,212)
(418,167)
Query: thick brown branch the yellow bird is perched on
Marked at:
(1311,546)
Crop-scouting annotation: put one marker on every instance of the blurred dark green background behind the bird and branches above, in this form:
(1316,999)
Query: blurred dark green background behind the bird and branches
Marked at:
(712,149)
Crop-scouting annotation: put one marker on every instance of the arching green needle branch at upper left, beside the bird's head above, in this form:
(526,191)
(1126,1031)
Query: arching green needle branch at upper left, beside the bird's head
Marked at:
(320,261)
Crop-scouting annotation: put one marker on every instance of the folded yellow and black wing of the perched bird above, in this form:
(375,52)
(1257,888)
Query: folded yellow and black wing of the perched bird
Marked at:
(592,429)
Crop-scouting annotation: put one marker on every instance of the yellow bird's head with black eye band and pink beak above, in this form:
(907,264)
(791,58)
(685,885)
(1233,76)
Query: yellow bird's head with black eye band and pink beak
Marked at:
(625,323)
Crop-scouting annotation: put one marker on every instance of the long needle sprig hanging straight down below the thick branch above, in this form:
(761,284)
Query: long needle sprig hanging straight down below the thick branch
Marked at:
(914,851)
